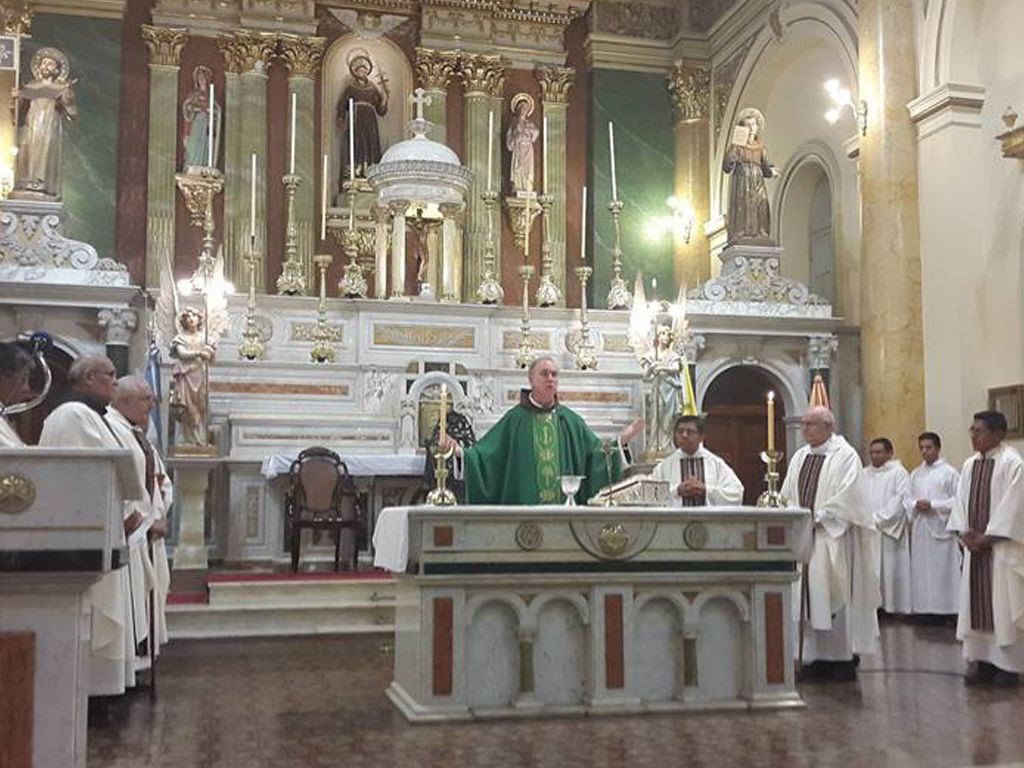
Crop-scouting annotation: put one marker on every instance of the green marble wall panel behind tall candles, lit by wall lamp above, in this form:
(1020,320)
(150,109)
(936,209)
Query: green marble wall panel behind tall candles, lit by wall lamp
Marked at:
(639,106)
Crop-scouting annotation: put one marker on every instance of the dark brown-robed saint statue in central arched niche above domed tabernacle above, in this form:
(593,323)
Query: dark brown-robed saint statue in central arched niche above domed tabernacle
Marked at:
(369,103)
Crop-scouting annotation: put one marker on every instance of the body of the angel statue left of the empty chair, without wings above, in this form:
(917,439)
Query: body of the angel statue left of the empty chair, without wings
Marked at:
(193,354)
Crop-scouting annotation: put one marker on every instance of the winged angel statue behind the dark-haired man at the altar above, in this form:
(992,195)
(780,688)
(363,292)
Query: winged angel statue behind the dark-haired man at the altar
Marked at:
(657,333)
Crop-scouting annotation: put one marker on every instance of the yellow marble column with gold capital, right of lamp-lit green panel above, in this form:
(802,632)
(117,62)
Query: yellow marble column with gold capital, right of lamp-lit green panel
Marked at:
(690,89)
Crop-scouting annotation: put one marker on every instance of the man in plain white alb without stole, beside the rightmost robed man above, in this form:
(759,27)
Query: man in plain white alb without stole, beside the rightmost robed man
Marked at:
(935,557)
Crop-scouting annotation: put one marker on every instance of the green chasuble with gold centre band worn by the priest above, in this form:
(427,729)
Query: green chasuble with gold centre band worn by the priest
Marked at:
(523,457)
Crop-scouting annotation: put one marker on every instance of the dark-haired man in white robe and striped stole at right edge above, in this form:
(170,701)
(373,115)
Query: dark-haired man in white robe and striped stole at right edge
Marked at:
(989,516)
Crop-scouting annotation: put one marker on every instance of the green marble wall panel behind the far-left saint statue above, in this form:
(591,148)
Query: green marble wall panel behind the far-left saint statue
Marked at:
(90,155)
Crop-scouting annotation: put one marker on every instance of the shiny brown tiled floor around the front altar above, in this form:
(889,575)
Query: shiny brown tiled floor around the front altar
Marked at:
(320,702)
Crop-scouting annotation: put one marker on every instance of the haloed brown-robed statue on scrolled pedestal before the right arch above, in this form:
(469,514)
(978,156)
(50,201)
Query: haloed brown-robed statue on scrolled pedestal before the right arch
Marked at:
(747,163)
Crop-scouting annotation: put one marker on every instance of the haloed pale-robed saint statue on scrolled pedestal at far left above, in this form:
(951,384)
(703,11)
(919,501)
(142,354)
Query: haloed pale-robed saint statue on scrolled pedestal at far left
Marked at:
(51,102)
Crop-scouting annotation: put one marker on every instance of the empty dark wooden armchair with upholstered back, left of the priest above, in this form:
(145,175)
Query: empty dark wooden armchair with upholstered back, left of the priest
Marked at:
(322,497)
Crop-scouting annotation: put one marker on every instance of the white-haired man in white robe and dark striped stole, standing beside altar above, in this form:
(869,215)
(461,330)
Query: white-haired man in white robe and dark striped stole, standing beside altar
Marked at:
(840,595)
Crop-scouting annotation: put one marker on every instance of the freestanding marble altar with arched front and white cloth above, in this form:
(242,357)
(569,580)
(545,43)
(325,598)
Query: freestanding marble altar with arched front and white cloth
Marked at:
(509,612)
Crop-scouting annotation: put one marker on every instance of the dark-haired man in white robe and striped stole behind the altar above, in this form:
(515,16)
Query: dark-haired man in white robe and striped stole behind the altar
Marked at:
(697,477)
